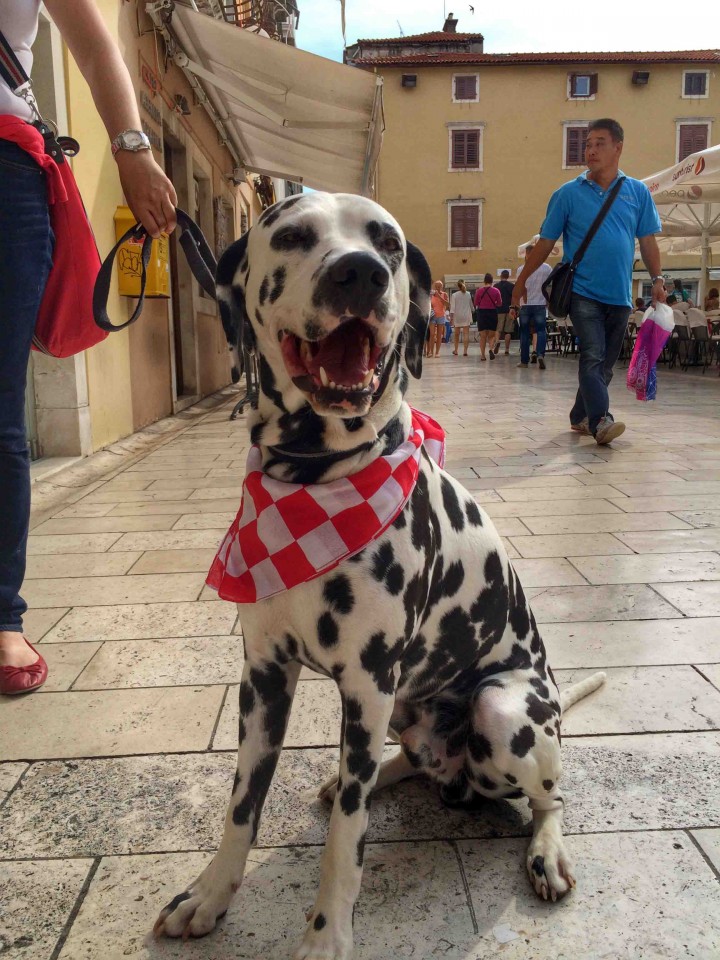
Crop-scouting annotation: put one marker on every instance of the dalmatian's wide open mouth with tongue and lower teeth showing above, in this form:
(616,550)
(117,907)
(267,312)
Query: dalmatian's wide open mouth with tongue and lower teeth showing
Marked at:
(345,365)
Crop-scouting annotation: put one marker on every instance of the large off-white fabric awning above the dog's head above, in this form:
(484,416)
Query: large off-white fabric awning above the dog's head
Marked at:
(289,113)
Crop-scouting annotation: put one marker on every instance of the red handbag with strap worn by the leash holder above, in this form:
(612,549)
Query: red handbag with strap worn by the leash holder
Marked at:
(65,323)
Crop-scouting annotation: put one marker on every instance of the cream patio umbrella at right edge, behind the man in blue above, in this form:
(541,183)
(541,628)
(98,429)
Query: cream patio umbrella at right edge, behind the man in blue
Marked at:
(687,197)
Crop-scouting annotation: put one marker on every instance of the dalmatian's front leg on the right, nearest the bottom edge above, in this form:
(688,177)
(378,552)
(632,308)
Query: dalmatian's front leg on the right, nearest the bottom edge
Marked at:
(366,715)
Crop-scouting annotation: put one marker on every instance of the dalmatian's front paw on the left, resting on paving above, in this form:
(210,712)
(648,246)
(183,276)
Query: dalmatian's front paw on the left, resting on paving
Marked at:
(196,911)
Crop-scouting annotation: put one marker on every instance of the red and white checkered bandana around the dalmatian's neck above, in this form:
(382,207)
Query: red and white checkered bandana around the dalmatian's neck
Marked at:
(289,533)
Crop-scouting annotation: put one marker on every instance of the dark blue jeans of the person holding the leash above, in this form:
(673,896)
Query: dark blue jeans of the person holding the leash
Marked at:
(26,243)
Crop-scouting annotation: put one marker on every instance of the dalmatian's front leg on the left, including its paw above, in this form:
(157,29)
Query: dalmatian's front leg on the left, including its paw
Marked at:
(266,693)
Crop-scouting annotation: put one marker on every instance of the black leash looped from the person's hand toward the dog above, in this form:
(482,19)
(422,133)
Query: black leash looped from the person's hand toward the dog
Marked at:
(198,254)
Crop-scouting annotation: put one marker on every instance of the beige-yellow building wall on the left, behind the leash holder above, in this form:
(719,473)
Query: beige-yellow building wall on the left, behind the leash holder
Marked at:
(176,353)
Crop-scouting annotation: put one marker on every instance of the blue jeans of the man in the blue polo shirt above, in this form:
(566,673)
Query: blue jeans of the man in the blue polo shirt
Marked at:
(600,328)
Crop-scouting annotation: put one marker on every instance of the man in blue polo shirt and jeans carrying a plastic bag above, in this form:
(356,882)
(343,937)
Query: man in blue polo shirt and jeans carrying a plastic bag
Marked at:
(601,298)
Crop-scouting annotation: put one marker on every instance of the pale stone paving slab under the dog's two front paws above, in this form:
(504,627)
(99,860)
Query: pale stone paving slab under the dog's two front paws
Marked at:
(413,904)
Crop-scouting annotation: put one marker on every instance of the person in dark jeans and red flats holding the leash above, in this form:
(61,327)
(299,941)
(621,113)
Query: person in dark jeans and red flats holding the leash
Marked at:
(26,245)
